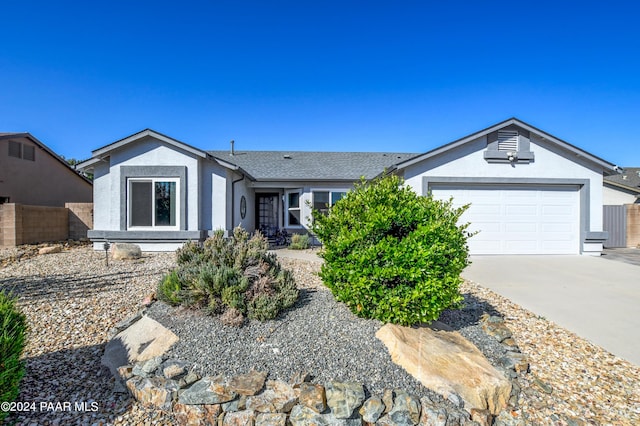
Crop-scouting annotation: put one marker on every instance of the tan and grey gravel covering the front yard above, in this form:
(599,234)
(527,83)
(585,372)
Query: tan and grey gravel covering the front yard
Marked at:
(72,299)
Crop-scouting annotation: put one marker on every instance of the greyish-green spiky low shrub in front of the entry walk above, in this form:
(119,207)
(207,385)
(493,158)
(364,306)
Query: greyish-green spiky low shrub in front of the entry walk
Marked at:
(233,276)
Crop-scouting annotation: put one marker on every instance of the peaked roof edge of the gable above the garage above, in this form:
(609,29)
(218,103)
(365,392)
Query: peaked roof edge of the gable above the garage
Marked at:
(609,168)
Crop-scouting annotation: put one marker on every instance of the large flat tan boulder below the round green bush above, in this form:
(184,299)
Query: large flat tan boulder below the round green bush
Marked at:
(447,363)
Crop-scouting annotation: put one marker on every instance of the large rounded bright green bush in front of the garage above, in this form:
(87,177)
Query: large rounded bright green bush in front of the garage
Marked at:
(392,255)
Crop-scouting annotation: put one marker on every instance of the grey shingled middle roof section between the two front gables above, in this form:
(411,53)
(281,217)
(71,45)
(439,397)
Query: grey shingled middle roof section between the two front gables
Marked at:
(311,166)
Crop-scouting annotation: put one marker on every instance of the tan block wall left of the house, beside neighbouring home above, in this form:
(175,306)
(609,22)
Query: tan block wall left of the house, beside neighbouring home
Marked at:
(23,224)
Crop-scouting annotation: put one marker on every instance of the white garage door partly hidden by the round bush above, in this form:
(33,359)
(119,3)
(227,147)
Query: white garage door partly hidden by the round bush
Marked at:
(517,219)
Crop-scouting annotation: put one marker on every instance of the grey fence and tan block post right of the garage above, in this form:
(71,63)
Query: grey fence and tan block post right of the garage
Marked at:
(623,225)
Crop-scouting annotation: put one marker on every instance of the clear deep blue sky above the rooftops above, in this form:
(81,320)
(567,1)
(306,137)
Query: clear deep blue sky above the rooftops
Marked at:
(339,76)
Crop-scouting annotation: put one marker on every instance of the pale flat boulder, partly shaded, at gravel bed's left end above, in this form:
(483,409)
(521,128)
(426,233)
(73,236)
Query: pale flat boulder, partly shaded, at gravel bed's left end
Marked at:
(143,340)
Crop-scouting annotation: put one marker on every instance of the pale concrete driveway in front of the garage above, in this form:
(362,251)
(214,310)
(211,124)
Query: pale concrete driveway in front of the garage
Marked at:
(596,298)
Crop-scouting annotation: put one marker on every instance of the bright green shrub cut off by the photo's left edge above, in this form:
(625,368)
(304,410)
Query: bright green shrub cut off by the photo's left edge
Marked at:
(13,330)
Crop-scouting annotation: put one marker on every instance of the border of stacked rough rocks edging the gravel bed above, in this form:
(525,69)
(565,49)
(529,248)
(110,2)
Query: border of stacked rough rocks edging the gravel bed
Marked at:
(169,385)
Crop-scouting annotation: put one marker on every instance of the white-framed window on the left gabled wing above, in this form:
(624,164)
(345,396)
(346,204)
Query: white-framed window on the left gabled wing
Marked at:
(153,203)
